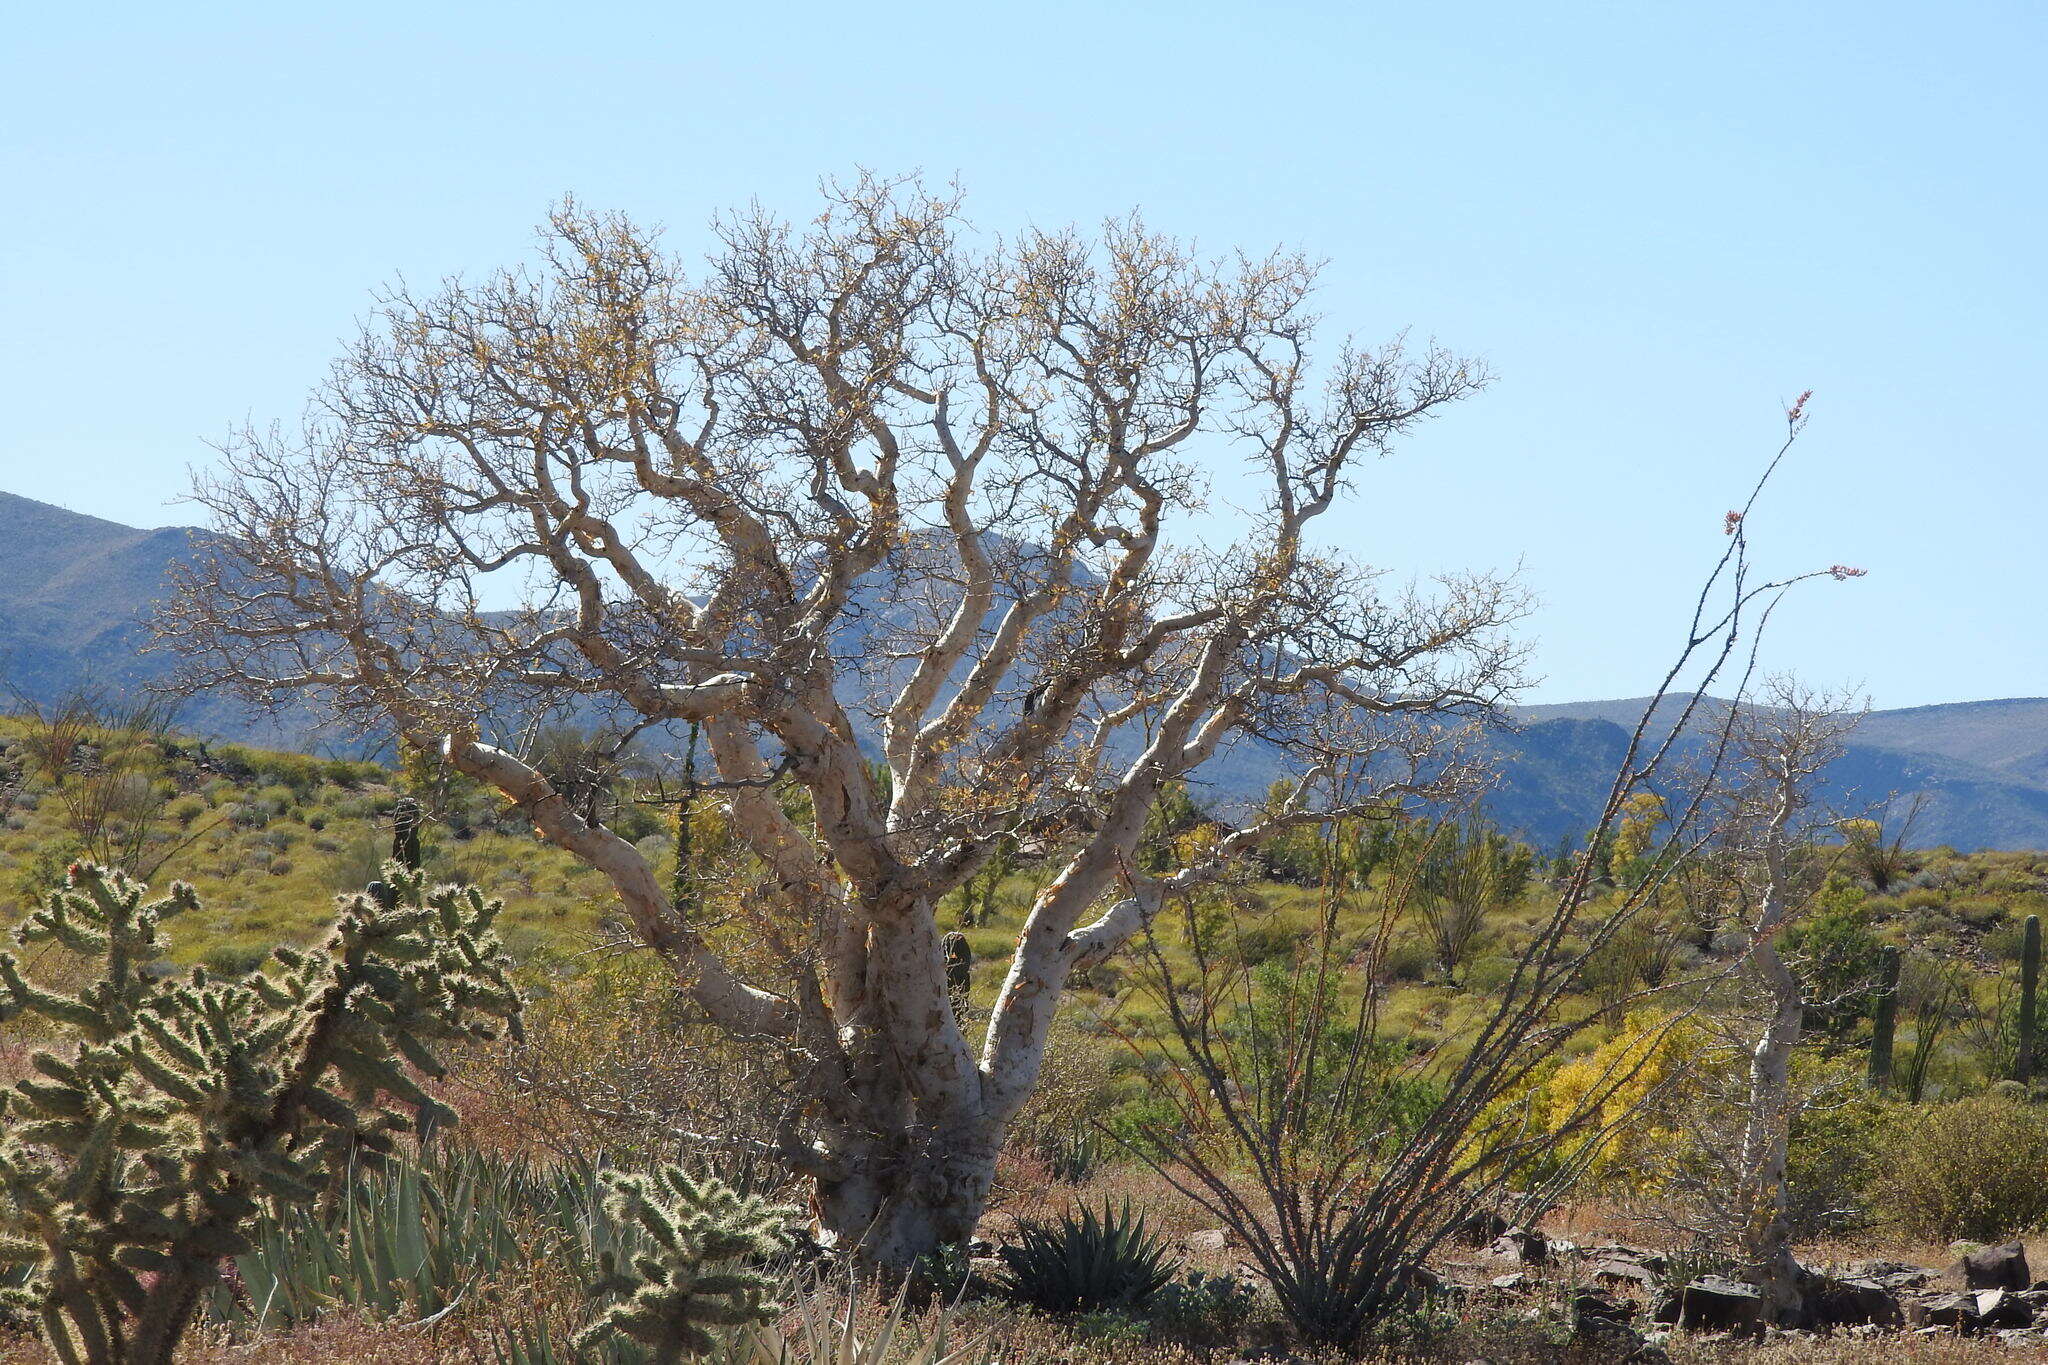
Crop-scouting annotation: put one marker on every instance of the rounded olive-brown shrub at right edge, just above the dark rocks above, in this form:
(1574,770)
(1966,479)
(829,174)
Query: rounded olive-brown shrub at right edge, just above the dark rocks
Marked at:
(1969,1170)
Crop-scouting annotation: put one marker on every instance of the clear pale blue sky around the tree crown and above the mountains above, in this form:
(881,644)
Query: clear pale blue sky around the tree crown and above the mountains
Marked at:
(1660,222)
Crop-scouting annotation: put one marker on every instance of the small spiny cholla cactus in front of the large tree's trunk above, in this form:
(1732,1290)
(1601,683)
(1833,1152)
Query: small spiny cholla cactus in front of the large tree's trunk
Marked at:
(691,1278)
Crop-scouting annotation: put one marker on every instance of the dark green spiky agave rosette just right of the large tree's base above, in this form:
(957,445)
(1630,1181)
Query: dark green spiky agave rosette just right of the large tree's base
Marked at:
(1089,1264)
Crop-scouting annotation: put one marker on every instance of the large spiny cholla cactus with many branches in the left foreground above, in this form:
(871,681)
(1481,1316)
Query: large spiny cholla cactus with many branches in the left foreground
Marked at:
(130,1170)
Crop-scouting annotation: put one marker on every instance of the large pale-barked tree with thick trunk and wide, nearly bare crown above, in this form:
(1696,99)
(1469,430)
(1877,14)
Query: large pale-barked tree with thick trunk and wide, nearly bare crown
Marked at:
(863,482)
